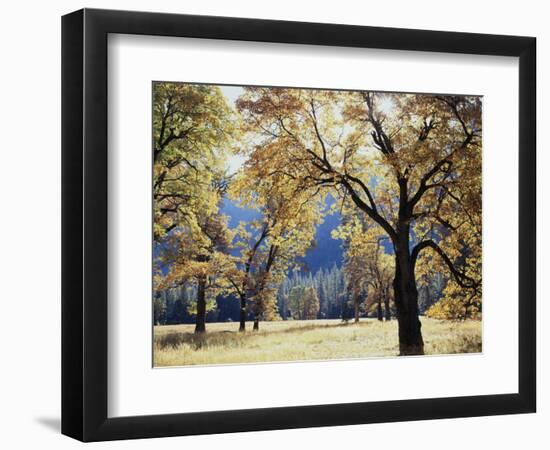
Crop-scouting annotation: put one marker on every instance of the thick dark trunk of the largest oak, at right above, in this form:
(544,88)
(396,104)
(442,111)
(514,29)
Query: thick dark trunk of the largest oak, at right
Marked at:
(406,300)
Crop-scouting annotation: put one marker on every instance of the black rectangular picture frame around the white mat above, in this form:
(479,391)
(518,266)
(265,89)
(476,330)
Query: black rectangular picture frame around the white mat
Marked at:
(84,224)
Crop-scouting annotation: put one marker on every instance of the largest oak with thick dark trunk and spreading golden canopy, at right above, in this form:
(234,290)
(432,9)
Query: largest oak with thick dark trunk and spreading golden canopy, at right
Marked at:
(410,163)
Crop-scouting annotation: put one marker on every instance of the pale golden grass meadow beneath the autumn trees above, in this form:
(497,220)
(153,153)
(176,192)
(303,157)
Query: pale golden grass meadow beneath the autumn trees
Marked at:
(299,340)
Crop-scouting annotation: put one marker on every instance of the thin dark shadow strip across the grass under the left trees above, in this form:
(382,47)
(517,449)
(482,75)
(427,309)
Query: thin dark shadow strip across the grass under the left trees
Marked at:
(217,338)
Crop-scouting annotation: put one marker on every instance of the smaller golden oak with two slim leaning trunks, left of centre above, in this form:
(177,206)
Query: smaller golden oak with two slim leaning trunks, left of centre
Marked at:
(270,244)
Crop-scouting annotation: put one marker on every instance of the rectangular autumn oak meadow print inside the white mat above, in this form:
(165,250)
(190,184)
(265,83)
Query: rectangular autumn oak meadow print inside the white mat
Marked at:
(298,224)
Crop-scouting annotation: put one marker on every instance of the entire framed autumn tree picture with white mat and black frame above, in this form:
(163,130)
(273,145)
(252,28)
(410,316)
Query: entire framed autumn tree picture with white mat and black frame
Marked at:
(273,224)
